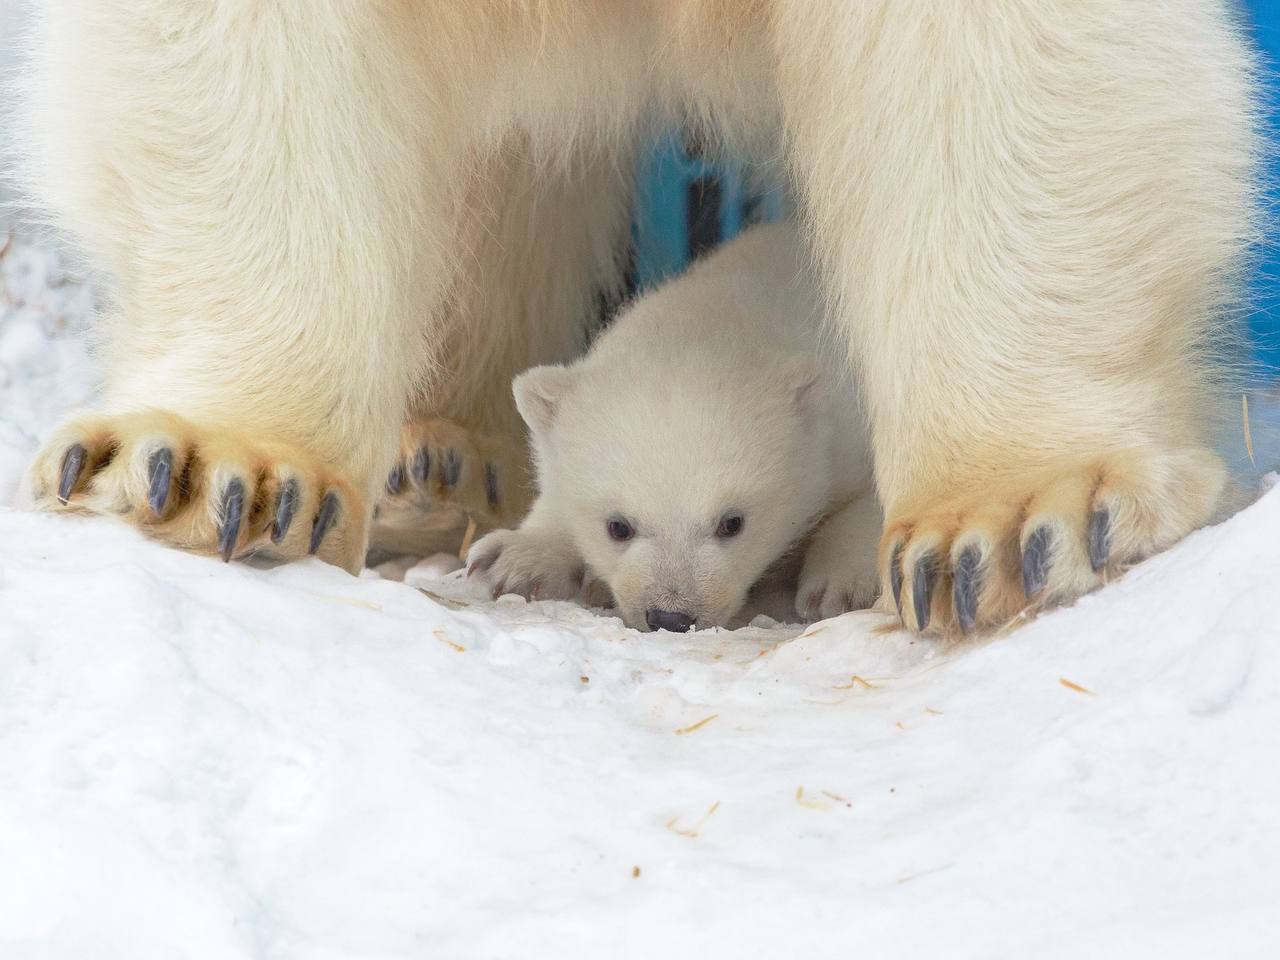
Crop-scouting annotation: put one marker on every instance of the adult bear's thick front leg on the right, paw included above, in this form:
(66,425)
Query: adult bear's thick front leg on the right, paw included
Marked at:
(1031,221)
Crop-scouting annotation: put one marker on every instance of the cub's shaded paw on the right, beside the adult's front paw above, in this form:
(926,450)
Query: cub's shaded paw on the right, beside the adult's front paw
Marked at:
(840,572)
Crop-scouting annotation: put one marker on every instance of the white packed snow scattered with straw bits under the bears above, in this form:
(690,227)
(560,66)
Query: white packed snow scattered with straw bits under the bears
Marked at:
(208,761)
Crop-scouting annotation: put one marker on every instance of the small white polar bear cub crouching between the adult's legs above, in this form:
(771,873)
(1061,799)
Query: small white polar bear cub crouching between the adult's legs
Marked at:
(710,433)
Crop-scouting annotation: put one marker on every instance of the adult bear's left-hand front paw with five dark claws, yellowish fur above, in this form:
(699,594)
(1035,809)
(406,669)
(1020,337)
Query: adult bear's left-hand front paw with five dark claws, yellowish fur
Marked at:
(204,490)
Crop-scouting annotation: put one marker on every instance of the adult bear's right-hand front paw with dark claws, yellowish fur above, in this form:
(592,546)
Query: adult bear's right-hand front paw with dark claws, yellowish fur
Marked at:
(980,560)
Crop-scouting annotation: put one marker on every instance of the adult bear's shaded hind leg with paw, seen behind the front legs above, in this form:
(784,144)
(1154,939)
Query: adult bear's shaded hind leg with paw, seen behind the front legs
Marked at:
(545,249)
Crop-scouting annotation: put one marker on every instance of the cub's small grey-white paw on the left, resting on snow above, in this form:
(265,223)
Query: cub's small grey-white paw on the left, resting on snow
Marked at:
(536,565)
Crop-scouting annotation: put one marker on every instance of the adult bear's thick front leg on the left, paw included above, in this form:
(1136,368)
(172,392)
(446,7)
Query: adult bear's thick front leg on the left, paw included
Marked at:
(271,200)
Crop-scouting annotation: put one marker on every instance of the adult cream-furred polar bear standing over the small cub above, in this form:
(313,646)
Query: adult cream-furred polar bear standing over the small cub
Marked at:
(327,216)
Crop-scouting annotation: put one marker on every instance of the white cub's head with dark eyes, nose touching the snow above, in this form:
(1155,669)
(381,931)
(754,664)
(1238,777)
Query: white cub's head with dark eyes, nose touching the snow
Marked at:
(679,491)
